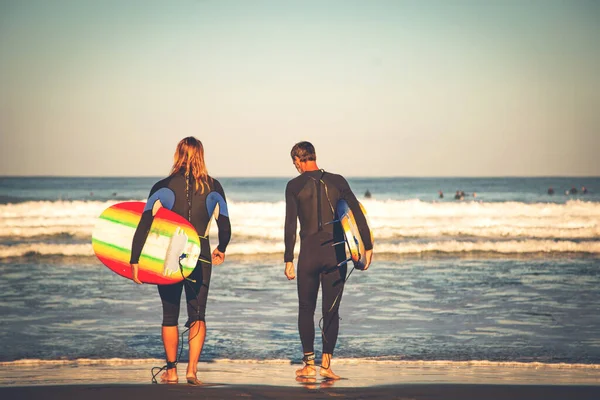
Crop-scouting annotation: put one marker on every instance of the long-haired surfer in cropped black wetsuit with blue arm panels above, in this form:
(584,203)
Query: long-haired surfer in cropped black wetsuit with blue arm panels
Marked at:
(190,192)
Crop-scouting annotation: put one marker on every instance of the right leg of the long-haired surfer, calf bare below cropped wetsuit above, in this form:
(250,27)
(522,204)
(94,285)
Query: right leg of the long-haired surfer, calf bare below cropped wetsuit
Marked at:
(196,294)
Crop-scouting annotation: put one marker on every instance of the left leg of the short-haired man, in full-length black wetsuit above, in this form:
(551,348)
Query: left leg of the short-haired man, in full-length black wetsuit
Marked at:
(308,290)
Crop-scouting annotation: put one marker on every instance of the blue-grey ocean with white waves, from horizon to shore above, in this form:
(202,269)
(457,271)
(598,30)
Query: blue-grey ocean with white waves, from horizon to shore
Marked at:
(509,275)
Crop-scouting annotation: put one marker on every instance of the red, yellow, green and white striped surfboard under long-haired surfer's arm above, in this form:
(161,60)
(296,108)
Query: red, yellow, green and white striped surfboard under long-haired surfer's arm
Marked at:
(170,237)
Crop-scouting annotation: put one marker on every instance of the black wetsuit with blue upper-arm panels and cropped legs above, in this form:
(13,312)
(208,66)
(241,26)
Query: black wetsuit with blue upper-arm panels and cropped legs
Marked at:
(198,208)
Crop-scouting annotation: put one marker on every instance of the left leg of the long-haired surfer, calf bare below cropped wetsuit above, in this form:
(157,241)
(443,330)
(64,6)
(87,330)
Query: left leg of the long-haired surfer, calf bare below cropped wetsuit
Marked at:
(170,296)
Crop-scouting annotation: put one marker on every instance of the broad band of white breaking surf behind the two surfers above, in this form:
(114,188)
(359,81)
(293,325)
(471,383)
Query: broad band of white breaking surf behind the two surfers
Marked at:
(400,227)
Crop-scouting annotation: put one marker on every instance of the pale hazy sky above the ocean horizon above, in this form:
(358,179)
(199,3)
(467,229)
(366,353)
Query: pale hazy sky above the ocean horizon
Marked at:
(381,88)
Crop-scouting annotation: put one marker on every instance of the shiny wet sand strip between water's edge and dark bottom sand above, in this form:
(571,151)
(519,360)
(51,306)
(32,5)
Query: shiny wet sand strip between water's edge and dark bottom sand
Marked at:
(281,373)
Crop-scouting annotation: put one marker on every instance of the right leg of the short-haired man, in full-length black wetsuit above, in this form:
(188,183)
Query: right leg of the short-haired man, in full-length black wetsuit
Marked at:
(333,287)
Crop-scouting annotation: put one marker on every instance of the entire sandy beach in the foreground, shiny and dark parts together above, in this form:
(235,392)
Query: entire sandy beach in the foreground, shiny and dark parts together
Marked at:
(273,380)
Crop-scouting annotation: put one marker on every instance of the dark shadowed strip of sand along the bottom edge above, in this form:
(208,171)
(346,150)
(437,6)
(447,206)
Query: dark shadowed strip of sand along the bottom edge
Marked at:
(407,391)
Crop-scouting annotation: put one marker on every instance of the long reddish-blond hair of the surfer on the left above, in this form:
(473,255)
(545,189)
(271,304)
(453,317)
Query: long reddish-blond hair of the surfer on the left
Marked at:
(189,159)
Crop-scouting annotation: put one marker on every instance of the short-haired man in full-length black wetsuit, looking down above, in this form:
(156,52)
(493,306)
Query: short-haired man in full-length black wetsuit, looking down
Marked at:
(311,198)
